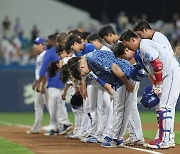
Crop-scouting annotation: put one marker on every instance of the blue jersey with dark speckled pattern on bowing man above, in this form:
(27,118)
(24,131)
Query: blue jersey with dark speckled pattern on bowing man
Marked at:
(101,63)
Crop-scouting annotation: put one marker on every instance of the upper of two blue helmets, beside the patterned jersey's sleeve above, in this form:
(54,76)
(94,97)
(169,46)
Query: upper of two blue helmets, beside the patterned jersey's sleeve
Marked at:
(137,73)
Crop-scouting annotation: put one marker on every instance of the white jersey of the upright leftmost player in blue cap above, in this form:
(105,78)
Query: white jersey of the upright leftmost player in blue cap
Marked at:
(39,61)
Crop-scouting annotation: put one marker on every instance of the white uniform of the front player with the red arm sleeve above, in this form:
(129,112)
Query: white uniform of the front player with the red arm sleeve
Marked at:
(149,51)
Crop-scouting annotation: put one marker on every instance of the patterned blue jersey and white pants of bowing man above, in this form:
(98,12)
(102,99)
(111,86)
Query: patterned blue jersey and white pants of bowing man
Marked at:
(101,63)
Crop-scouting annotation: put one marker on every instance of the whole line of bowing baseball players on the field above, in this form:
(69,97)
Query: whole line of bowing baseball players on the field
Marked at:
(102,77)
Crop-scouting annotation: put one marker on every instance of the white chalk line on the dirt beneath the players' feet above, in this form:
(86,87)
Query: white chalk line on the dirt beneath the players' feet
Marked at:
(27,126)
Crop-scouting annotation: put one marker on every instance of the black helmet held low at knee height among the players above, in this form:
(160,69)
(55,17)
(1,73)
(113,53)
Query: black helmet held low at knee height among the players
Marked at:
(76,100)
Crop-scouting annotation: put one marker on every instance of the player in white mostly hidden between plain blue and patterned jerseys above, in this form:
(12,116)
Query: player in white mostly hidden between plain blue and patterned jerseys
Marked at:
(104,104)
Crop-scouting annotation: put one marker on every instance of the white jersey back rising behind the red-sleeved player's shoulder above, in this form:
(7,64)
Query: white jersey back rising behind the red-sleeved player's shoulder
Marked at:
(162,39)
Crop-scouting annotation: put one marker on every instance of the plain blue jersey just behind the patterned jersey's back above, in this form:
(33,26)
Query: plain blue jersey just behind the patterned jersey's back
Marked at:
(88,47)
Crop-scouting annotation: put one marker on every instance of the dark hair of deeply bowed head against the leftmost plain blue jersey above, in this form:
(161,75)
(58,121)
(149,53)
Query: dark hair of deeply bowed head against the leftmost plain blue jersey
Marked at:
(65,75)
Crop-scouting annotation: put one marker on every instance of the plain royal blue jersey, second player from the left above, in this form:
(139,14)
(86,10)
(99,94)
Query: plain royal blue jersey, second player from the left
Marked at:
(49,57)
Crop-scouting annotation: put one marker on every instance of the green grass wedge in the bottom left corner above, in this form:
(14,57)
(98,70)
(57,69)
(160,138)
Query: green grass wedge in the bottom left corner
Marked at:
(8,147)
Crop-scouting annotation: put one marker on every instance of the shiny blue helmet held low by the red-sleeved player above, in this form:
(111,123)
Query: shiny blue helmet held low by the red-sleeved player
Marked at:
(149,98)
